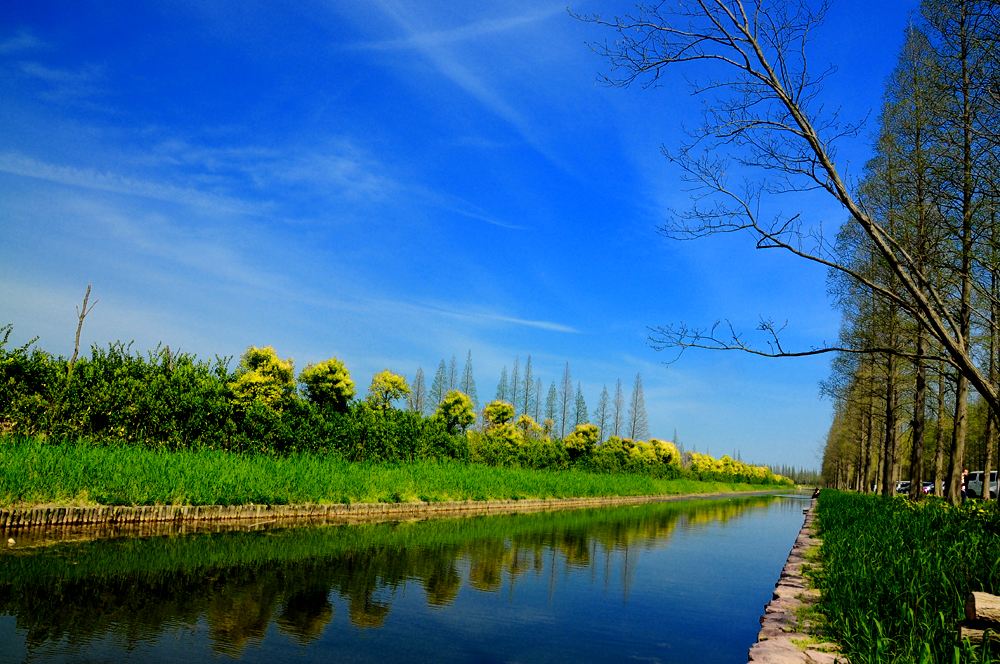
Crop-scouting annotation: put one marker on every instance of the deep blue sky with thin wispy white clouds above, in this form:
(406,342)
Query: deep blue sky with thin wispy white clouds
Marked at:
(394,183)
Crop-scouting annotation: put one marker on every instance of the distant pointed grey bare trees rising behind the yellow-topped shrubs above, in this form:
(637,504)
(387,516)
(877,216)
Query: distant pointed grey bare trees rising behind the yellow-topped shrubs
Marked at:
(562,408)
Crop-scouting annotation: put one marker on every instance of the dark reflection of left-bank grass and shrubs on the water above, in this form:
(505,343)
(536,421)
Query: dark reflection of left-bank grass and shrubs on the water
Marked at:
(236,589)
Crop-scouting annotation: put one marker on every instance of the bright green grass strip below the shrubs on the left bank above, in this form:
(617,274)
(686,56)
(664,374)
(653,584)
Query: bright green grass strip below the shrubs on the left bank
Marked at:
(34,472)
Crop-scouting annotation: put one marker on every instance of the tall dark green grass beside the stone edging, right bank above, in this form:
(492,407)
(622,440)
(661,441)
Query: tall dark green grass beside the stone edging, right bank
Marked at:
(896,574)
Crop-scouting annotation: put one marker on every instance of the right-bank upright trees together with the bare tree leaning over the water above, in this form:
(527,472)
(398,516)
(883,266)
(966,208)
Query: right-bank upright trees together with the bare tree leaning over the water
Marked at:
(915,264)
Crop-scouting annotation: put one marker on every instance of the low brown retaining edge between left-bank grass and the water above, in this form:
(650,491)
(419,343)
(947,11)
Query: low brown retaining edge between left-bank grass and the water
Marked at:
(17,519)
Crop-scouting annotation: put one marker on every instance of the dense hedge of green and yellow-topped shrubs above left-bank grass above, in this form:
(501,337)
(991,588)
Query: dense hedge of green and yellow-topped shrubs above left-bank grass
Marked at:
(174,401)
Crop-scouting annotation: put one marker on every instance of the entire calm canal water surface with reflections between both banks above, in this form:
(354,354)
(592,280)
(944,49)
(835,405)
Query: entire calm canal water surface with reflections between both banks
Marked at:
(667,582)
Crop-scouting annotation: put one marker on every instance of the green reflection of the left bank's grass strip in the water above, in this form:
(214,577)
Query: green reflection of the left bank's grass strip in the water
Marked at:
(193,554)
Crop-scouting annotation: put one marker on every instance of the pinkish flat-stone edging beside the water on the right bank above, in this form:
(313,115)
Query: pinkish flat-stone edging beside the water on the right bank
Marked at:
(785,635)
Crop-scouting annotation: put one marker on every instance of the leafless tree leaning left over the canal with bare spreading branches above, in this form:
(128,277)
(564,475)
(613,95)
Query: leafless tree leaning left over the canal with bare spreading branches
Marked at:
(766,135)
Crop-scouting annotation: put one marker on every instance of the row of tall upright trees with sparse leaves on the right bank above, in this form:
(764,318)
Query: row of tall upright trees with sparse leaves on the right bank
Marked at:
(904,406)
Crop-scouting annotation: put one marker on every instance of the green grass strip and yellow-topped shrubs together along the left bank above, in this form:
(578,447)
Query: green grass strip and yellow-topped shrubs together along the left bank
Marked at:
(123,428)
